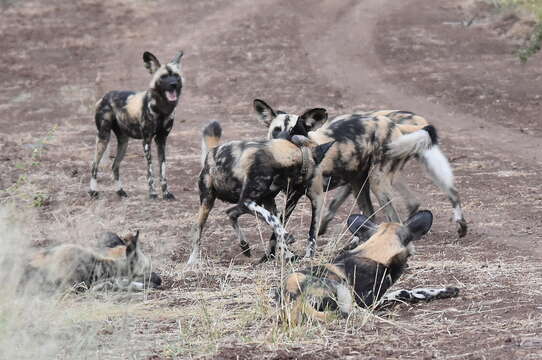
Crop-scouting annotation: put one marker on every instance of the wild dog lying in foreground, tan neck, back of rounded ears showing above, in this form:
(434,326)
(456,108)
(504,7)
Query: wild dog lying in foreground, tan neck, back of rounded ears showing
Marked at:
(362,274)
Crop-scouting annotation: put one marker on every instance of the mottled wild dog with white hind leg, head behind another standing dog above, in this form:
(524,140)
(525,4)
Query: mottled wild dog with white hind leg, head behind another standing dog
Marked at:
(365,139)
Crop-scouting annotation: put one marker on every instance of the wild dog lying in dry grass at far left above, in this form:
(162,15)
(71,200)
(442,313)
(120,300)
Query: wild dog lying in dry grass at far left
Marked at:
(75,267)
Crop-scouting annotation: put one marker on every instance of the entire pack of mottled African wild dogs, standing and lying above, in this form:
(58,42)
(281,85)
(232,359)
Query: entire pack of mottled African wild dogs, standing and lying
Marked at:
(308,154)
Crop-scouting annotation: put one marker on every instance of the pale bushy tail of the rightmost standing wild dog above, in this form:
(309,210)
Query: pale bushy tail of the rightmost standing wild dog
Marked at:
(424,143)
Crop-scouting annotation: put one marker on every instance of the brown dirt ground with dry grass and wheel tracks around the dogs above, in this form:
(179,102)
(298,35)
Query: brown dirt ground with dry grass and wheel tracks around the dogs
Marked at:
(344,55)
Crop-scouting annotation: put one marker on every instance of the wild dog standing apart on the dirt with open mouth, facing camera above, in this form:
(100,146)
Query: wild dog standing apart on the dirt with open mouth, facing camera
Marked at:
(140,115)
